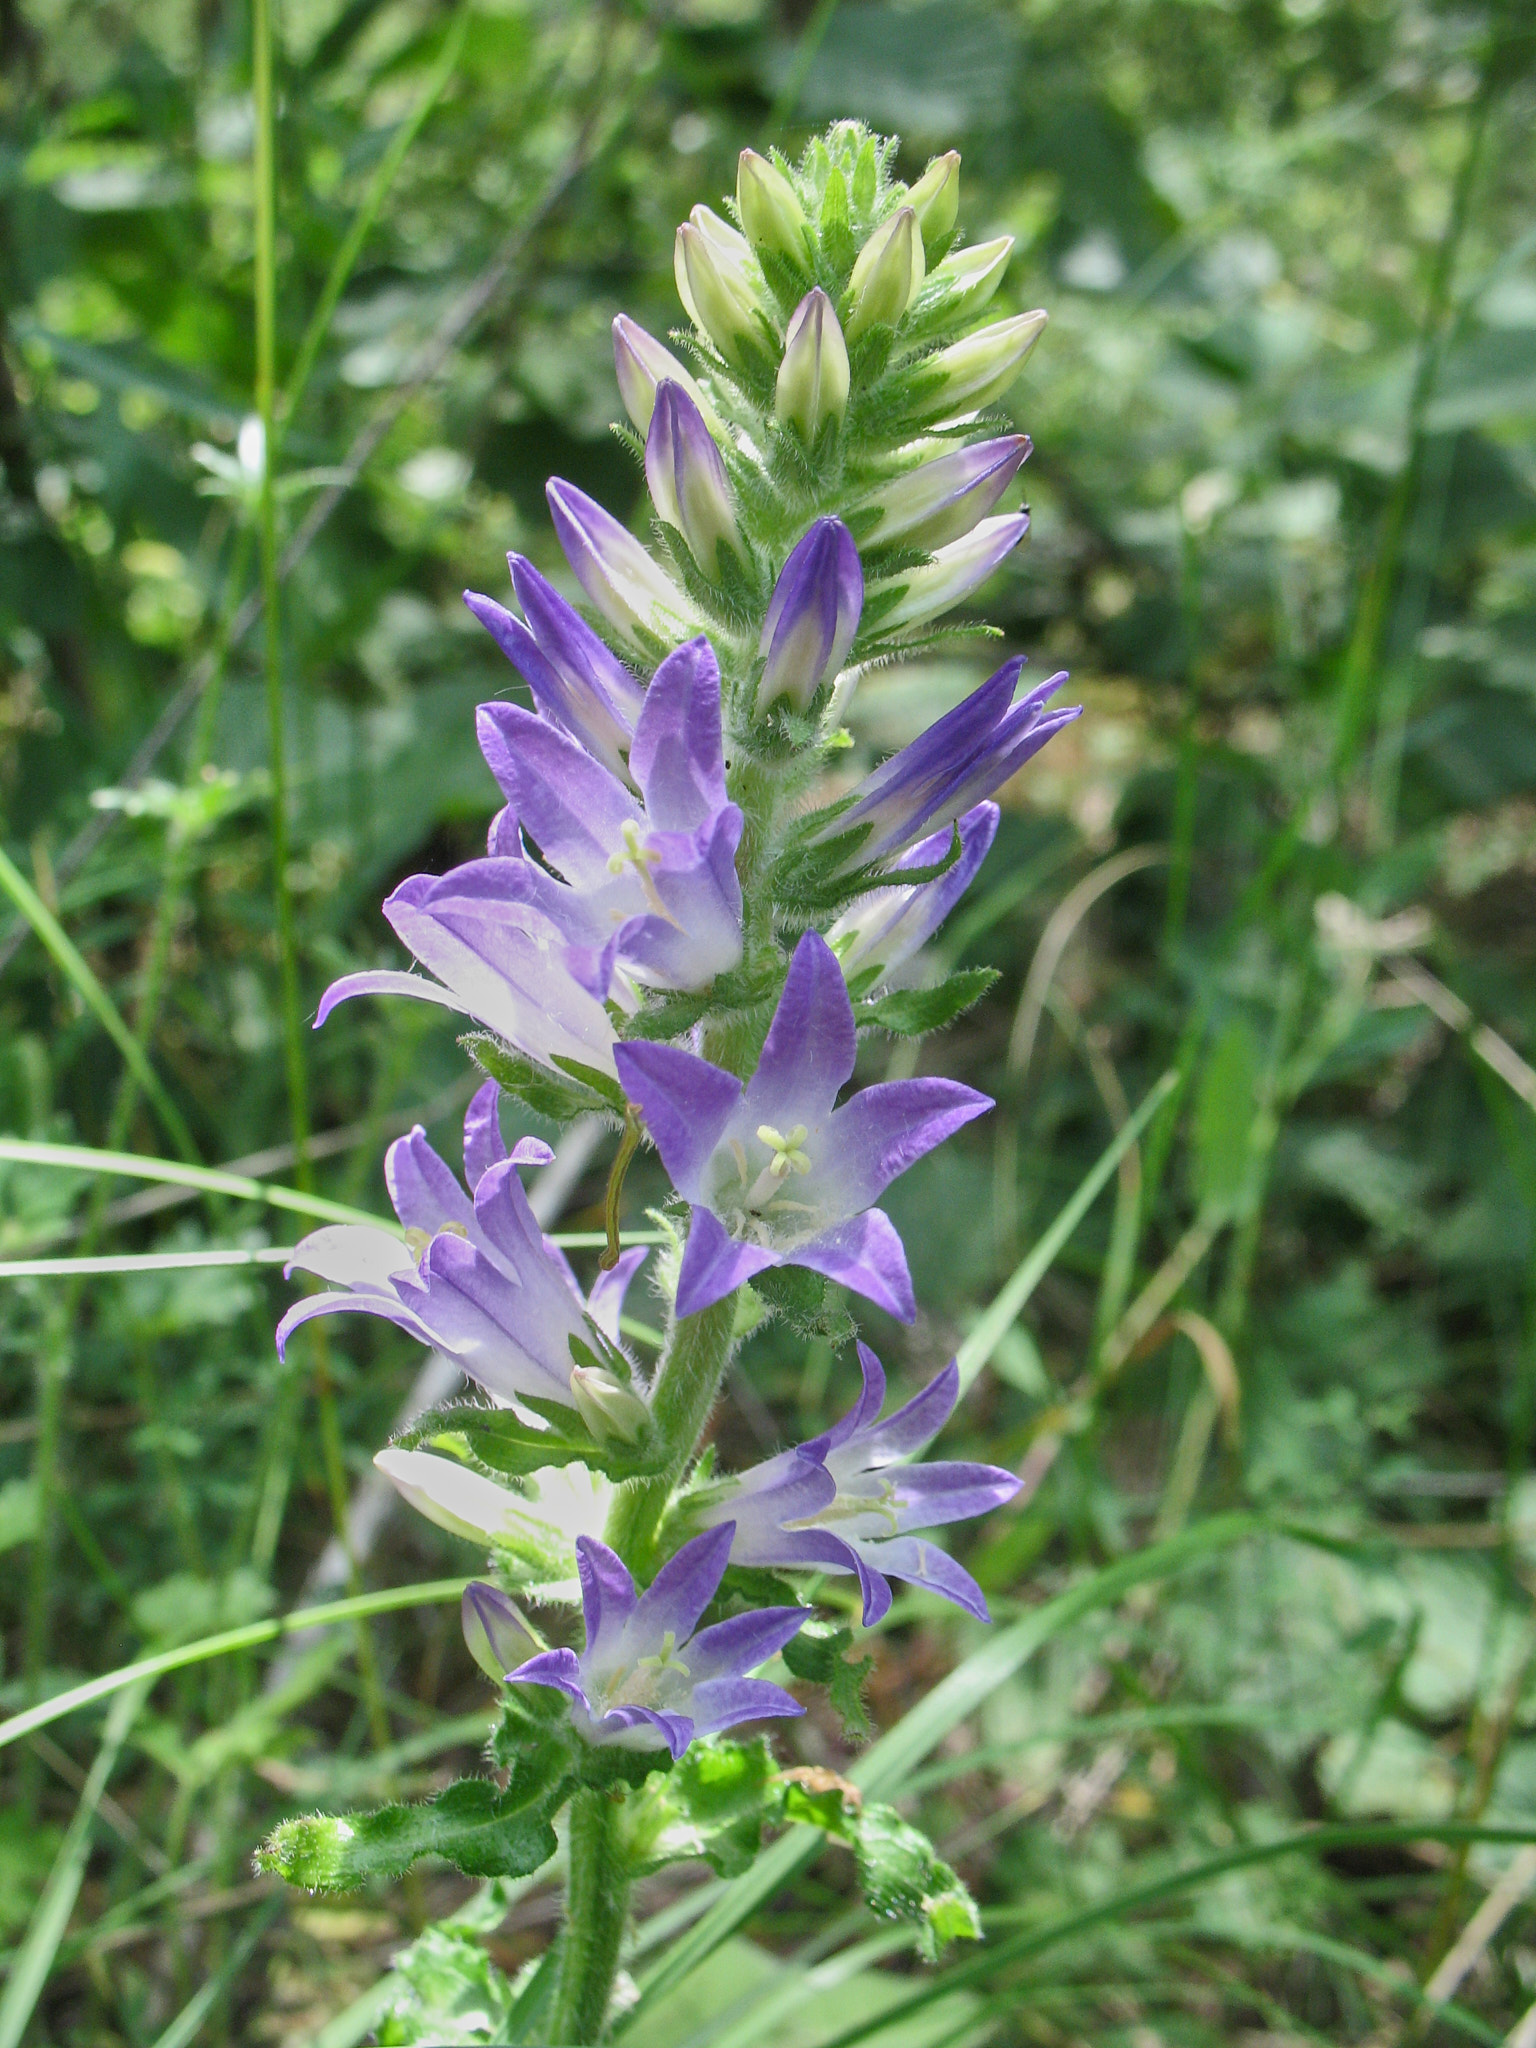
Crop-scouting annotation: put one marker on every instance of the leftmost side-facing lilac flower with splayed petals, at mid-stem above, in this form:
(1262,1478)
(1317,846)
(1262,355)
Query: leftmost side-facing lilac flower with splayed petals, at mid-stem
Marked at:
(476,1277)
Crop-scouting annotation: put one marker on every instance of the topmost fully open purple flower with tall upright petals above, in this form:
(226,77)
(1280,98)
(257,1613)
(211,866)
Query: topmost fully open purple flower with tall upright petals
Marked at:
(646,888)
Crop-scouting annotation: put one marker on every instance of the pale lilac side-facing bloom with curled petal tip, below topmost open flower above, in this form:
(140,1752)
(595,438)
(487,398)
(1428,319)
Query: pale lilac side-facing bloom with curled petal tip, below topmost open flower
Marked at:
(499,959)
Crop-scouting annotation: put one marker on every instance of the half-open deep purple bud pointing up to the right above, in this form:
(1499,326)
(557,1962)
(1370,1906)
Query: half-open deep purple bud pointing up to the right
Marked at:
(959,761)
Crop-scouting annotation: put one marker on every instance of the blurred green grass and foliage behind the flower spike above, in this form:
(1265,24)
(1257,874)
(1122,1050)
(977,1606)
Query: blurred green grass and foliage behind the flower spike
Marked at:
(1285,538)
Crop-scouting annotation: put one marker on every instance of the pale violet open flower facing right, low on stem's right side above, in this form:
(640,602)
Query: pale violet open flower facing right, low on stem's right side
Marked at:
(878,1500)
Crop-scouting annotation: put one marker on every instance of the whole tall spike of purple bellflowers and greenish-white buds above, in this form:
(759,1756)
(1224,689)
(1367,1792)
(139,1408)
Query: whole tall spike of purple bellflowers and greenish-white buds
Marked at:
(685,921)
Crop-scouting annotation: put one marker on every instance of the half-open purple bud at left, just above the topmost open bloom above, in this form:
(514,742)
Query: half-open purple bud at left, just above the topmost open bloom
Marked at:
(577,681)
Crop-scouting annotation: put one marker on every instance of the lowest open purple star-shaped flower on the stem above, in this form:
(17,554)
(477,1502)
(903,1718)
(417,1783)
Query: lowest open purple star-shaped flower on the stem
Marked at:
(646,1680)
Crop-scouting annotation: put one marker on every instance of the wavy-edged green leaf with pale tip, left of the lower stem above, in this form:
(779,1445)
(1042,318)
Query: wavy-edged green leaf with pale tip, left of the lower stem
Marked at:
(472,1826)
